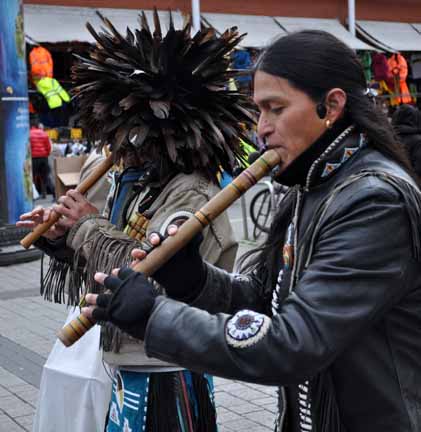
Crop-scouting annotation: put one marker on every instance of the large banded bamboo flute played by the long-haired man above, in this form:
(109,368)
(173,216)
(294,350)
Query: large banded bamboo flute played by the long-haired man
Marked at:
(74,330)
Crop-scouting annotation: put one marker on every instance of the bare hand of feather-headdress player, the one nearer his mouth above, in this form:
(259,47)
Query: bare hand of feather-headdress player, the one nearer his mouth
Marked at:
(73,206)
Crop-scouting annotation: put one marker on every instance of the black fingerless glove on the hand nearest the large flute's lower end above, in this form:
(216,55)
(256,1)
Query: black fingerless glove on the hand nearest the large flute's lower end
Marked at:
(130,303)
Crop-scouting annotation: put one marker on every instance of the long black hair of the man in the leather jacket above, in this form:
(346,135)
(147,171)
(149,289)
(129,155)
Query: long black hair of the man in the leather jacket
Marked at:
(315,62)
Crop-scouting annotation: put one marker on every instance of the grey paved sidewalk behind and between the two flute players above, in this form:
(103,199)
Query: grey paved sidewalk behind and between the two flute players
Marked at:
(28,327)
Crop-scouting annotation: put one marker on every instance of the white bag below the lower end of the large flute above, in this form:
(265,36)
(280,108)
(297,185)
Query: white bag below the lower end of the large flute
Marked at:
(75,389)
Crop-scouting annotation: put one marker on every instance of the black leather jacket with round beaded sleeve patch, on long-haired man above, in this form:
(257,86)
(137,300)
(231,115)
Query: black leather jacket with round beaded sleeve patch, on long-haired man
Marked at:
(350,327)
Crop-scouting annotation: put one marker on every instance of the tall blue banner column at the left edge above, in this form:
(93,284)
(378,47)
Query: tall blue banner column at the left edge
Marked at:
(15,154)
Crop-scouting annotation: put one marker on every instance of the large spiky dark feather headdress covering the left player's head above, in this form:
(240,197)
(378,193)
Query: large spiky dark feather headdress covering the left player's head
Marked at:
(166,97)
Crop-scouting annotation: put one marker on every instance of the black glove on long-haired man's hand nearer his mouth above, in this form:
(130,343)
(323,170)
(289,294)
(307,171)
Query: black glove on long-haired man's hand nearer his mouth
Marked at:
(184,275)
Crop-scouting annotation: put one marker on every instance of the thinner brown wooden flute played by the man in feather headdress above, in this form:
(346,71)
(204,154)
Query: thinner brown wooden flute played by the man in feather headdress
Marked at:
(83,187)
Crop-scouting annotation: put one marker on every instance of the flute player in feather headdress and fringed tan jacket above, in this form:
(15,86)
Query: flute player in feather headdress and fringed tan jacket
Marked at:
(163,103)
